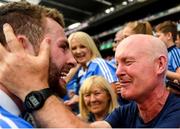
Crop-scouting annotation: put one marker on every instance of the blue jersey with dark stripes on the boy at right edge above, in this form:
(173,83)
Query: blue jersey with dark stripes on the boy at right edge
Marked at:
(174,58)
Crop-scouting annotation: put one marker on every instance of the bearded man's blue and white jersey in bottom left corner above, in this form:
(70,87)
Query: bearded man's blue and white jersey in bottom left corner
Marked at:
(7,120)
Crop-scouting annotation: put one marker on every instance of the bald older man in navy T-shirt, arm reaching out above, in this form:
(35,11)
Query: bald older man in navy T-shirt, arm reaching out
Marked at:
(142,64)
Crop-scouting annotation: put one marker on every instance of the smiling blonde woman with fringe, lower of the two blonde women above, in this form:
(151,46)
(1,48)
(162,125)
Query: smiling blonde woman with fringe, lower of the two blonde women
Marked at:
(97,99)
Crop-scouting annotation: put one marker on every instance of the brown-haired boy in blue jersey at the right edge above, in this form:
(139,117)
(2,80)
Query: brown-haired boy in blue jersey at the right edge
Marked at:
(167,32)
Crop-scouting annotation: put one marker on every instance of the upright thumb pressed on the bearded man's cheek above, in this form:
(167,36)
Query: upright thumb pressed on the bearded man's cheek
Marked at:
(45,50)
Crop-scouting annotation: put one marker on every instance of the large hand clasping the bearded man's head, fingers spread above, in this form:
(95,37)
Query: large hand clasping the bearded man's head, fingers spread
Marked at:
(21,72)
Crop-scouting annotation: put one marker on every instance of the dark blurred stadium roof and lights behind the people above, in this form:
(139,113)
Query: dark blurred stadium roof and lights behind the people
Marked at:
(103,18)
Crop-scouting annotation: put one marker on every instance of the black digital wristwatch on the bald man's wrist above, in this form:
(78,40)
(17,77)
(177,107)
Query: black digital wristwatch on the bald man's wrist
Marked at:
(35,99)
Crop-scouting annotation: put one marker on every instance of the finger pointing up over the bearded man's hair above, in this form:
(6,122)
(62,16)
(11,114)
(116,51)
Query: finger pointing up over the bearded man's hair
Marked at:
(12,42)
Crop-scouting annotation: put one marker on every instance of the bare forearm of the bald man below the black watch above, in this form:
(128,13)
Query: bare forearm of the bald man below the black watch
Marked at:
(54,114)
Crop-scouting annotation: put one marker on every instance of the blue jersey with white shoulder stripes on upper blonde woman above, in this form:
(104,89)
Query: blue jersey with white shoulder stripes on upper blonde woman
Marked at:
(97,66)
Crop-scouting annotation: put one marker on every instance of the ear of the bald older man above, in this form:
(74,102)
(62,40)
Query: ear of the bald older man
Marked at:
(161,64)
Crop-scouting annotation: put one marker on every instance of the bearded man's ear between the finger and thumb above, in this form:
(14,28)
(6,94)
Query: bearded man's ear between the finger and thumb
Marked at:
(27,45)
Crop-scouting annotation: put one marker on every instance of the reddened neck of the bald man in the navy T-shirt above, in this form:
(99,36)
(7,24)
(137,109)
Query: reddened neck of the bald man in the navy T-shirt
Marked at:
(151,107)
